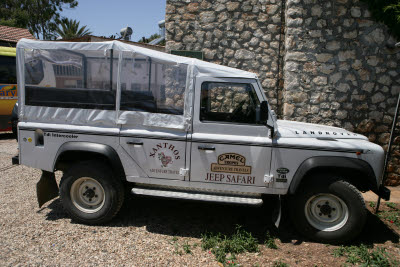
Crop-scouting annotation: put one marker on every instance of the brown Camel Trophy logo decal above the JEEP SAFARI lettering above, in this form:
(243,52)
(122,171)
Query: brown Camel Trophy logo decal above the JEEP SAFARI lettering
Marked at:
(231,163)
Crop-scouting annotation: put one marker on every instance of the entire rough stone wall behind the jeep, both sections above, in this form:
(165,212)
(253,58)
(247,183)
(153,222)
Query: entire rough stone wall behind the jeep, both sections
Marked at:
(320,61)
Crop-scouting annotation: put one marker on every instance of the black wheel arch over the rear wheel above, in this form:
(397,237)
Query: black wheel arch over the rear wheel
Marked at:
(77,151)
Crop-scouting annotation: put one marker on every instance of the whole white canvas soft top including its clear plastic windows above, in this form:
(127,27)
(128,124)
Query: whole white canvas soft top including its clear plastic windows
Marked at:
(179,74)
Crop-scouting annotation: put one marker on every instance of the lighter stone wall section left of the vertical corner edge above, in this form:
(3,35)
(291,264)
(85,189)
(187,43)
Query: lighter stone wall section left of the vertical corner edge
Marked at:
(240,34)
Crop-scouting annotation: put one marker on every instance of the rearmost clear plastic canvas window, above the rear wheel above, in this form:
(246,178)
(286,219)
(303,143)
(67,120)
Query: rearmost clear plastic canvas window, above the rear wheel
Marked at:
(71,79)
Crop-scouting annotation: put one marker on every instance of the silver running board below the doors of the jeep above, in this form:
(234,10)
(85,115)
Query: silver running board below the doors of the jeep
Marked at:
(197,196)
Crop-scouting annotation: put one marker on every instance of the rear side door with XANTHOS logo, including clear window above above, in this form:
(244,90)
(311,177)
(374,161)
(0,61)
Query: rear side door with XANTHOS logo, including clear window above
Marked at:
(152,91)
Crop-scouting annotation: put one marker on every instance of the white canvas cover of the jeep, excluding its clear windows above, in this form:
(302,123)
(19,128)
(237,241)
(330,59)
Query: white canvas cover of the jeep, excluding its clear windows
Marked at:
(111,118)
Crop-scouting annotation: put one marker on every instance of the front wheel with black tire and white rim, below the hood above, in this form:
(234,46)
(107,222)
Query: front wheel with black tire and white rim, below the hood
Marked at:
(321,200)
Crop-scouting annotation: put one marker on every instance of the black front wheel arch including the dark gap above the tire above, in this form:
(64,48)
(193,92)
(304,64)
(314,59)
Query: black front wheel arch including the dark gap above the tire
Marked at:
(356,171)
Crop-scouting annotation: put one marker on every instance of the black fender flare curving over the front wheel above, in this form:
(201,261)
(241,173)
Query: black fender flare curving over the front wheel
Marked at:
(337,164)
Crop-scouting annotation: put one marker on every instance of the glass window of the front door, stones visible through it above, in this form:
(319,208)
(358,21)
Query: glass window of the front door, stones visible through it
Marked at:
(229,102)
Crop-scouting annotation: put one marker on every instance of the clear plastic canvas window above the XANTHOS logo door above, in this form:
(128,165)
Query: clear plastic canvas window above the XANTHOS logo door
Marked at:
(152,86)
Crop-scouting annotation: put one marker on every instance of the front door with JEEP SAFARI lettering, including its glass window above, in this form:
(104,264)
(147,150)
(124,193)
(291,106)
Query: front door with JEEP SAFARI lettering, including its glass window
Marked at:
(229,144)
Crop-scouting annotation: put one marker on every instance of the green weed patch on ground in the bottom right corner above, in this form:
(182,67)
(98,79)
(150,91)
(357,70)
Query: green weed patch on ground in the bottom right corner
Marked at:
(365,256)
